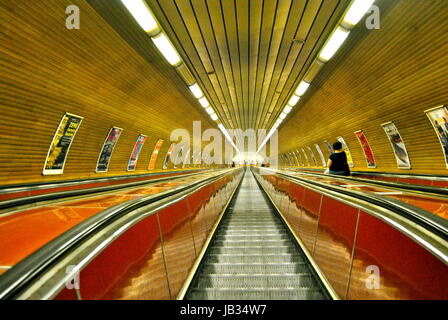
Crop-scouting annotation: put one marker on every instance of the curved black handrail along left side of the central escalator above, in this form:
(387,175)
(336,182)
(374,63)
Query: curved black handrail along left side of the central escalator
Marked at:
(23,273)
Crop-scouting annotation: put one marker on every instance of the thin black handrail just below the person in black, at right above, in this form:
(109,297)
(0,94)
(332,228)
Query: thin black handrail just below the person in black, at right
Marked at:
(400,185)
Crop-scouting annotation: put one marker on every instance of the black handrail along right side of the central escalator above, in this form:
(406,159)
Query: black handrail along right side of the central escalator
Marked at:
(426,219)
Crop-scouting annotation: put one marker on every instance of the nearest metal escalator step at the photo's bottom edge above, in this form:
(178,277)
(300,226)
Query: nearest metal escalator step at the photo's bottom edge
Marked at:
(256,294)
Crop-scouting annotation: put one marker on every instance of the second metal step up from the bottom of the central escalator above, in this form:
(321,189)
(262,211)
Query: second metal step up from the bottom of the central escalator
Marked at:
(257,281)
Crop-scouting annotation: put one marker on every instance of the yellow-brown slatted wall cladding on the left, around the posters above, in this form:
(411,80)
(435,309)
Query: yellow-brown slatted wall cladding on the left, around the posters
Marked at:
(47,70)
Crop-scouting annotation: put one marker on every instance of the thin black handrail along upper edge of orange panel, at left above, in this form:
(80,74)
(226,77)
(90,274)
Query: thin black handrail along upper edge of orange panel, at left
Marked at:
(8,204)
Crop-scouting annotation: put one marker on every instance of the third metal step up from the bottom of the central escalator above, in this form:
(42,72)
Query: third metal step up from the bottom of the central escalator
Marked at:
(238,268)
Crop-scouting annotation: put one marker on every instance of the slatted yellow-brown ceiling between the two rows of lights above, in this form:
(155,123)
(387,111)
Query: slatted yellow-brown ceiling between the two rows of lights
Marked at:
(248,56)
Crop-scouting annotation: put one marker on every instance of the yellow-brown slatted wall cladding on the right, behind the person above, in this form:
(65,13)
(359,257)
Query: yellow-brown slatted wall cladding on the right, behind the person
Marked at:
(391,74)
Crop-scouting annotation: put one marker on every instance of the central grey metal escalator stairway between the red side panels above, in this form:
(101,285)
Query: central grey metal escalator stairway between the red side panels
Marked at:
(252,255)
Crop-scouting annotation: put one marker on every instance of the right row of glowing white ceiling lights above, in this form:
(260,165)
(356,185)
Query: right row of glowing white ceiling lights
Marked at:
(353,15)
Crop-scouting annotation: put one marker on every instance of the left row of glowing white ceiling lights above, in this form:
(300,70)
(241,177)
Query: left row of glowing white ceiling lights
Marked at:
(141,13)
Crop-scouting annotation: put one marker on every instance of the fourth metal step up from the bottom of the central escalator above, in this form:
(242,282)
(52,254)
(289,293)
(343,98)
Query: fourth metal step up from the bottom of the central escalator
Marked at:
(254,258)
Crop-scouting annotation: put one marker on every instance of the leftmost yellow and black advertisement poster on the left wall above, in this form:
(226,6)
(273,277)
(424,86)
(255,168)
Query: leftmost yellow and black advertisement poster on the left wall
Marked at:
(61,143)
